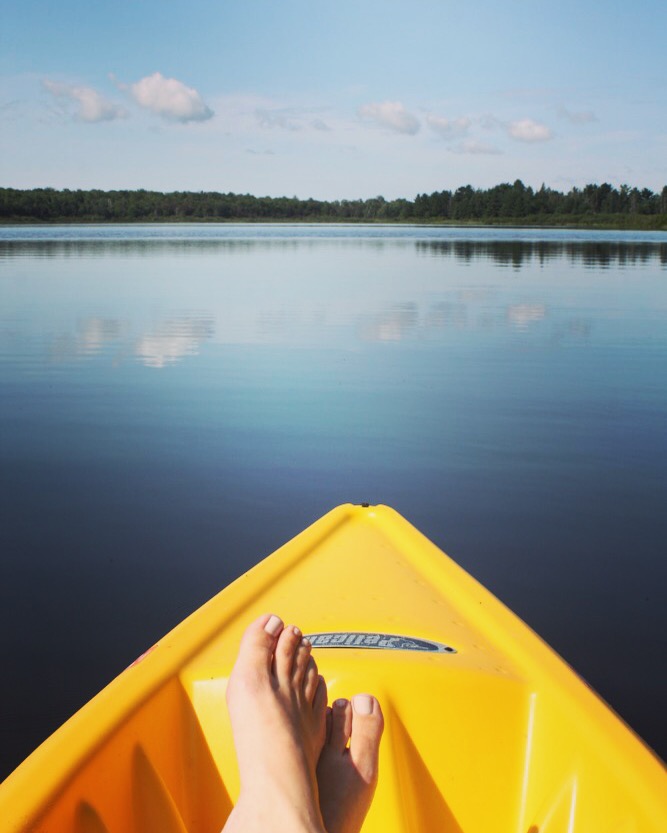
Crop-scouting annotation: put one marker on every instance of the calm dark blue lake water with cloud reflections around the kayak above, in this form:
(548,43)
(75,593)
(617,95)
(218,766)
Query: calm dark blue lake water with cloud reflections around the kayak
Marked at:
(177,401)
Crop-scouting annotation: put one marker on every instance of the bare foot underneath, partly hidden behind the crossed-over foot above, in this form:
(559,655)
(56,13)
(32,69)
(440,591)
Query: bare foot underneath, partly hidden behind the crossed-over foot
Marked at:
(347,775)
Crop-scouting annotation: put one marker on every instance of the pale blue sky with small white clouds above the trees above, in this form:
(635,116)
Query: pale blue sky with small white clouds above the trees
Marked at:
(332,100)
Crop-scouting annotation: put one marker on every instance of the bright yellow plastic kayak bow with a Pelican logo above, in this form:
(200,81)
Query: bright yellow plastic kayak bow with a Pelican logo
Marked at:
(486,728)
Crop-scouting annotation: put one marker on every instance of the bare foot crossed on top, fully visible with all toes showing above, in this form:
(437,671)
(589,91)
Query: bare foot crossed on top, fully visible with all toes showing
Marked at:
(277,704)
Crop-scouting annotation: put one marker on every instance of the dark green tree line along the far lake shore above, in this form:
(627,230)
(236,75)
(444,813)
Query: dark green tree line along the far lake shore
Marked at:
(600,206)
